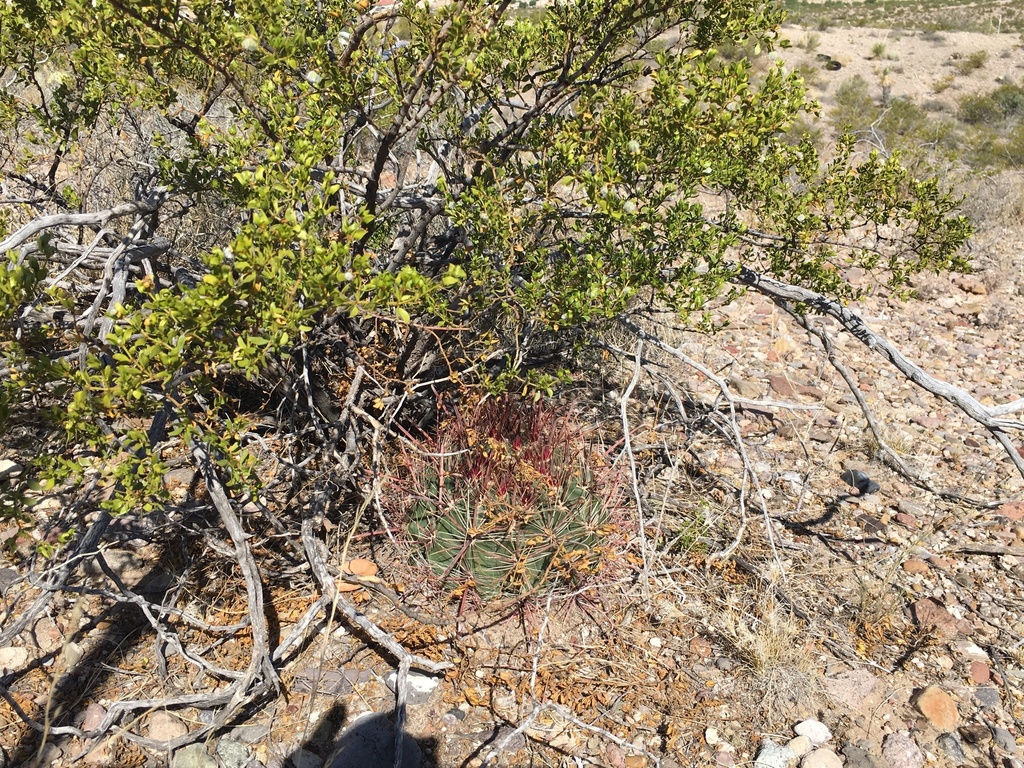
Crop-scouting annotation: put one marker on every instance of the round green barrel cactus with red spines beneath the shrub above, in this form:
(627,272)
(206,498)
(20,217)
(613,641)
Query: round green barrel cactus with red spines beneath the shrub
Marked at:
(507,498)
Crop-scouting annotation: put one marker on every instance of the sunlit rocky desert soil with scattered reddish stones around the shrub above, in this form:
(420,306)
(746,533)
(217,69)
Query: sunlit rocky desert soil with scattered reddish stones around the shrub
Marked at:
(883,631)
